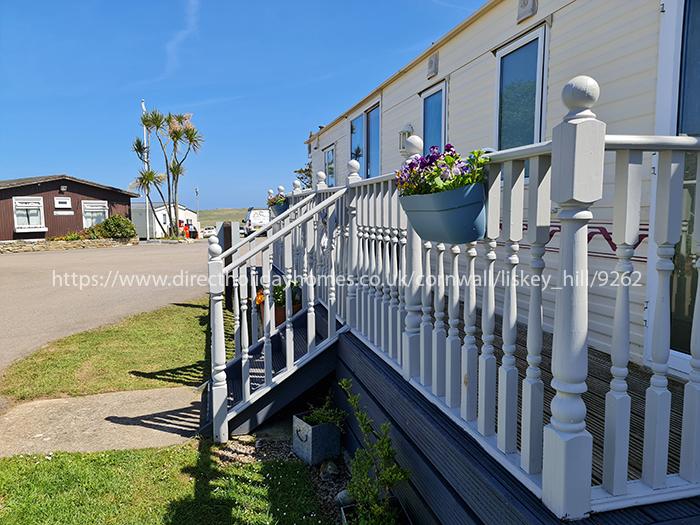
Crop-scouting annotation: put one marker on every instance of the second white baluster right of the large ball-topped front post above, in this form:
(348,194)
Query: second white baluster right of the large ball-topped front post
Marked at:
(667,233)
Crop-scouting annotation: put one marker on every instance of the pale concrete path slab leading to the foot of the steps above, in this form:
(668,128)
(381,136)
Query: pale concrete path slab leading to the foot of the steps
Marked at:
(120,420)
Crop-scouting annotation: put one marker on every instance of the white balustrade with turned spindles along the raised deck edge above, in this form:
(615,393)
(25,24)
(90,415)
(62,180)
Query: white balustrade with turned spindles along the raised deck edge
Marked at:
(380,268)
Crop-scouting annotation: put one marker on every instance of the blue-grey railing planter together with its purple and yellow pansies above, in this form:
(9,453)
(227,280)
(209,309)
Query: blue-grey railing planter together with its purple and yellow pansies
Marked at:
(443,195)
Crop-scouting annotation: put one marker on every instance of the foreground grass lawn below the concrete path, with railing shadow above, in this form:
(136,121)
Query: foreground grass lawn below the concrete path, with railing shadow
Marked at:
(185,484)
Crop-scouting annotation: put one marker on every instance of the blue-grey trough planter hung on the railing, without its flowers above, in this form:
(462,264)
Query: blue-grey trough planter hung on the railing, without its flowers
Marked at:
(457,216)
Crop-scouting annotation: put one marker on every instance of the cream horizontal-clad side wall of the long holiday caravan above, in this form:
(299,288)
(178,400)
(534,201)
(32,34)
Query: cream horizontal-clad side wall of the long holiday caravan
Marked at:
(615,42)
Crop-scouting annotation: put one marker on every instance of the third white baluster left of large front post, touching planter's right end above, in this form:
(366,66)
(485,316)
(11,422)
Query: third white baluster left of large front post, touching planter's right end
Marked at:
(487,361)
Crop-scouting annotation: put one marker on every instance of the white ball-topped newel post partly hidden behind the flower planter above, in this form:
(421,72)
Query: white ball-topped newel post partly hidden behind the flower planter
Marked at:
(410,344)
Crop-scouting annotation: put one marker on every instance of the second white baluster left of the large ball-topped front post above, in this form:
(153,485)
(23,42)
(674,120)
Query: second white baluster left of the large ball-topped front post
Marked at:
(513,194)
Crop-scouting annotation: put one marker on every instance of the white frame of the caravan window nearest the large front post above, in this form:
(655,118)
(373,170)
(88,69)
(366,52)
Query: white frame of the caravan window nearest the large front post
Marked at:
(542,34)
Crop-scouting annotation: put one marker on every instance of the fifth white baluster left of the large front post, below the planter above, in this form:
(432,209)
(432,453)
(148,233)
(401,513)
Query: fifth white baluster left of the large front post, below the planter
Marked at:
(453,358)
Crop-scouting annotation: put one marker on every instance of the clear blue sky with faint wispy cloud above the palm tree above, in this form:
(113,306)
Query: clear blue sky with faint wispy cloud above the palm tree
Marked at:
(258,76)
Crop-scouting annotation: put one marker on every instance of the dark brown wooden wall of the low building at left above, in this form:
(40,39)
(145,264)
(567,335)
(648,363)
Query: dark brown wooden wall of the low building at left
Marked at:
(58,225)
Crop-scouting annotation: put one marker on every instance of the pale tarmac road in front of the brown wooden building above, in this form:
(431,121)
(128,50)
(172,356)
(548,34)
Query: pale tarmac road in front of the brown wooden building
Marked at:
(41,297)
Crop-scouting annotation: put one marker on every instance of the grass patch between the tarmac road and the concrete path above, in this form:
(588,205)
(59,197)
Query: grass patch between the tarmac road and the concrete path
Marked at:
(129,355)
